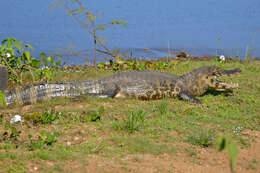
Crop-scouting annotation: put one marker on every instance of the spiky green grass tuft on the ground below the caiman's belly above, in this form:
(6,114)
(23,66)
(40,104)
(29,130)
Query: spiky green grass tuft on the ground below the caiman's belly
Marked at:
(134,121)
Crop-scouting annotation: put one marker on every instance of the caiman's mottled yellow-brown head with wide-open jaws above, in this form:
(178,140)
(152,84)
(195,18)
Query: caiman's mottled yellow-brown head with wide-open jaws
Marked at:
(202,79)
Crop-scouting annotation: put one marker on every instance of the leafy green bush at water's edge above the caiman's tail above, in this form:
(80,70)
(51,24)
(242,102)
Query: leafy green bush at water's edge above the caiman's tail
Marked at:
(16,56)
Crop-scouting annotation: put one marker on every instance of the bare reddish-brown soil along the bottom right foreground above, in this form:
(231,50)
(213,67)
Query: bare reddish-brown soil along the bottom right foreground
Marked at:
(206,160)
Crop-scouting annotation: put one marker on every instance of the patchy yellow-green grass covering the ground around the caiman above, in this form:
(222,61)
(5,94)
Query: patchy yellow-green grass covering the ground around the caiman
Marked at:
(60,131)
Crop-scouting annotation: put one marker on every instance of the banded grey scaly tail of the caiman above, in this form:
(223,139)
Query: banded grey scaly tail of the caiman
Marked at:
(38,92)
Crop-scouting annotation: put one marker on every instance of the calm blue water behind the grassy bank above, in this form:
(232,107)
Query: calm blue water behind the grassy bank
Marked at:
(193,26)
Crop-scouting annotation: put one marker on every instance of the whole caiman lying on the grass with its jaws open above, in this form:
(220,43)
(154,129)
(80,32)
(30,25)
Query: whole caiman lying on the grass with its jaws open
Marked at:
(134,84)
